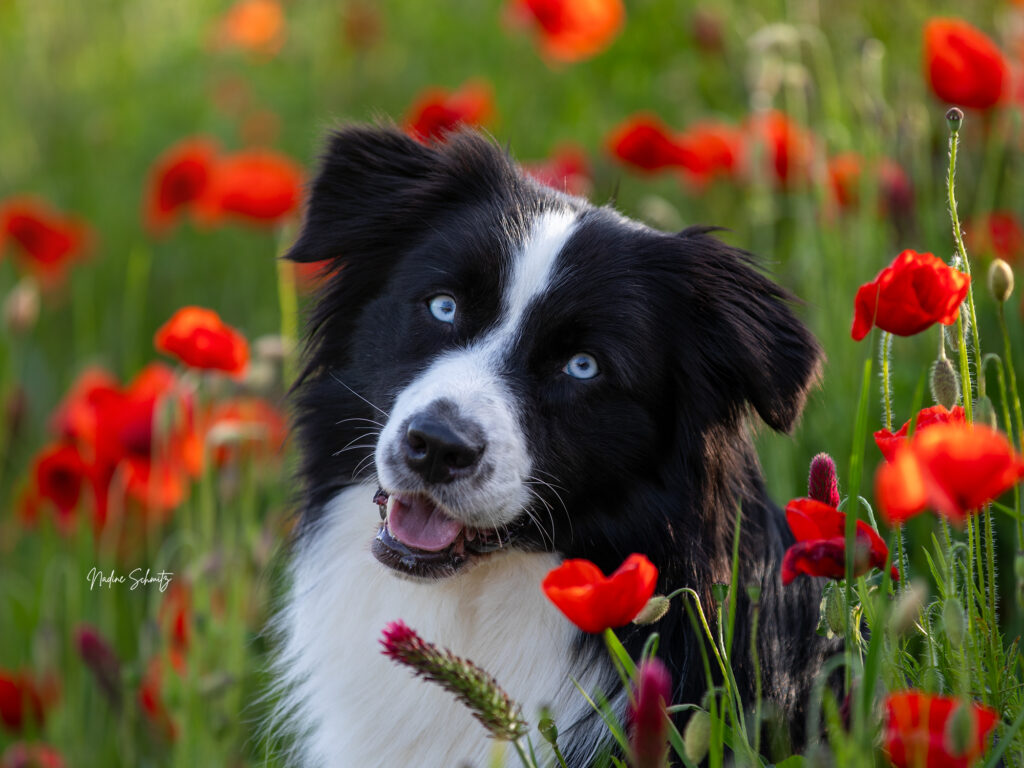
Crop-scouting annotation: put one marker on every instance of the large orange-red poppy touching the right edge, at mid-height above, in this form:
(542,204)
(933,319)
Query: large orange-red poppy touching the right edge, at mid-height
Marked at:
(952,468)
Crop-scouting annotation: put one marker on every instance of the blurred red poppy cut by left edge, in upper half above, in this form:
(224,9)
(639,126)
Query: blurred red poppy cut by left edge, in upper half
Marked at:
(48,242)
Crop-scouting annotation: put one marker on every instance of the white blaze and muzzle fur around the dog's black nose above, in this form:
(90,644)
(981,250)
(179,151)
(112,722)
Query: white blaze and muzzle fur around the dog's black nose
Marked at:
(471,379)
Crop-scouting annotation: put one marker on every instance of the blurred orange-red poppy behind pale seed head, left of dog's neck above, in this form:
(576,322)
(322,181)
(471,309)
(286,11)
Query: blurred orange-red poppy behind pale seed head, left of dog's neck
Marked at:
(245,426)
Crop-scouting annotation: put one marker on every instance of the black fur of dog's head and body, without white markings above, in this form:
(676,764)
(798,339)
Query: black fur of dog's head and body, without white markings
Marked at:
(655,456)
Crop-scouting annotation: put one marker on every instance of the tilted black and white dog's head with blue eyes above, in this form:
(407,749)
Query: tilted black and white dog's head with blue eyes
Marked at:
(511,362)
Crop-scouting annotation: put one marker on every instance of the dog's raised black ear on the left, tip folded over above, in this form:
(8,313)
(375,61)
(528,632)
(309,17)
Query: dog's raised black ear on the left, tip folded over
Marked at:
(366,194)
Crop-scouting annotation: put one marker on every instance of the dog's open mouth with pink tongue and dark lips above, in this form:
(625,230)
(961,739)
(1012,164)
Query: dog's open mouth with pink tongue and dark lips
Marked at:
(417,538)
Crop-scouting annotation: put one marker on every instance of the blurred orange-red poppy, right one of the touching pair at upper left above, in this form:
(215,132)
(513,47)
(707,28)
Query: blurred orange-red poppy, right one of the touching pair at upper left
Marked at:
(258,187)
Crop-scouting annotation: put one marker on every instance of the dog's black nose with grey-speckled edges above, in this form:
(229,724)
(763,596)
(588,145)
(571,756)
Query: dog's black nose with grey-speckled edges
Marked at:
(439,450)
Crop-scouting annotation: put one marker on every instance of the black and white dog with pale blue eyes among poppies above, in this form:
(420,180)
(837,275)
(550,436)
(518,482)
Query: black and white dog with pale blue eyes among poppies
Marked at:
(528,378)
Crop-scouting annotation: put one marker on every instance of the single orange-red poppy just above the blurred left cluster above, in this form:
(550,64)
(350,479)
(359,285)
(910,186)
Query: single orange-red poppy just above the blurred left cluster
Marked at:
(200,339)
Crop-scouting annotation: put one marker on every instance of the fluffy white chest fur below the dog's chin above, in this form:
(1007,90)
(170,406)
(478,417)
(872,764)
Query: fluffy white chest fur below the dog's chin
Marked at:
(354,708)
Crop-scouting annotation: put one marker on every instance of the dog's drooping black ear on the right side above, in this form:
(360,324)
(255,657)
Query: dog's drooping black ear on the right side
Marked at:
(761,352)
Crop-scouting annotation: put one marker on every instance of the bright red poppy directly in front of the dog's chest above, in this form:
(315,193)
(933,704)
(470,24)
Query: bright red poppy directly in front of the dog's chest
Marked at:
(595,603)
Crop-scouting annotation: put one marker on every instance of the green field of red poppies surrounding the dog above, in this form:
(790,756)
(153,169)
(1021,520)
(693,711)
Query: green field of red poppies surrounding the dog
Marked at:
(154,158)
